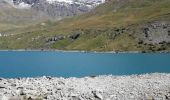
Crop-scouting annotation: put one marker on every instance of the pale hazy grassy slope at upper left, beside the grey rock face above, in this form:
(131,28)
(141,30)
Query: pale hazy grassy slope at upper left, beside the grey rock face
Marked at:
(13,18)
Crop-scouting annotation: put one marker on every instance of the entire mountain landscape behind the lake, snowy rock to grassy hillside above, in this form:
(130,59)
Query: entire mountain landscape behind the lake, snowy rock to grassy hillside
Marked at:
(92,25)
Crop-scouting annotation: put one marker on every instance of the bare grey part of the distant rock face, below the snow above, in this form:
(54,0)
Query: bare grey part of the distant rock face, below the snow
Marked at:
(60,9)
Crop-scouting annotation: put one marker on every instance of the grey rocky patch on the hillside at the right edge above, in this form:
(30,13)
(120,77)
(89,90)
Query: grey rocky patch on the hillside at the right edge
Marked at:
(156,32)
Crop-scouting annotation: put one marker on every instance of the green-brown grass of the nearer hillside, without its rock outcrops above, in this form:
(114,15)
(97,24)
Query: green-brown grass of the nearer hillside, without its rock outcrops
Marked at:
(95,27)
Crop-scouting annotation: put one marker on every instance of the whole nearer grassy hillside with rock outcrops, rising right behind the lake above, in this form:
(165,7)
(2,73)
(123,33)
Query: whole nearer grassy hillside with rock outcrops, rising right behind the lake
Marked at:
(117,25)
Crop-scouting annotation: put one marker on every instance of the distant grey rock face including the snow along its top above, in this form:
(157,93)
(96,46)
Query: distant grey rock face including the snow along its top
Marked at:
(58,9)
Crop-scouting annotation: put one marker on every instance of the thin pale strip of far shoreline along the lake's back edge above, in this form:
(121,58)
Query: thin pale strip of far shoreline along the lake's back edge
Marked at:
(83,51)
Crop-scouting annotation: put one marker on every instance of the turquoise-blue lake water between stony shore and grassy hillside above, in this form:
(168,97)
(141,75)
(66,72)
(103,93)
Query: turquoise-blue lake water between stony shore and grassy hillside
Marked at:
(76,64)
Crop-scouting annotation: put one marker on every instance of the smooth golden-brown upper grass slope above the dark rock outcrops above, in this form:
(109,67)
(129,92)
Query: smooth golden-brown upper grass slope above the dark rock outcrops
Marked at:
(127,12)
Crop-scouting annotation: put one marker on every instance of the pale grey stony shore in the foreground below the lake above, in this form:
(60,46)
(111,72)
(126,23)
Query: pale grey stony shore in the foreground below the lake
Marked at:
(154,86)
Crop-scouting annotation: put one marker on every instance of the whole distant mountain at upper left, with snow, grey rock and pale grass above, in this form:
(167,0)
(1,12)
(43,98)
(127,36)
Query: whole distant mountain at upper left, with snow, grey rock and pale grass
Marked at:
(17,14)
